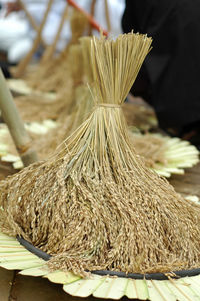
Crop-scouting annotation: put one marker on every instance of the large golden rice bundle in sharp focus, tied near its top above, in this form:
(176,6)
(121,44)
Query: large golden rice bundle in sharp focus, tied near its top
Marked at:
(95,206)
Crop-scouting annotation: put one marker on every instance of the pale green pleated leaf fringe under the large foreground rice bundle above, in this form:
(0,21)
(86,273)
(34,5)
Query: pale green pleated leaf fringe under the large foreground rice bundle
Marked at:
(13,256)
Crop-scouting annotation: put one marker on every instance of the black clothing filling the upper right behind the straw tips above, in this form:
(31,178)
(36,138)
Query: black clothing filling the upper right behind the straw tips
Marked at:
(171,73)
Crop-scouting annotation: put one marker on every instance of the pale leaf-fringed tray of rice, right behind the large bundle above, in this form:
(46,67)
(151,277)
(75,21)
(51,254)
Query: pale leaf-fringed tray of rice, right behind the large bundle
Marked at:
(177,154)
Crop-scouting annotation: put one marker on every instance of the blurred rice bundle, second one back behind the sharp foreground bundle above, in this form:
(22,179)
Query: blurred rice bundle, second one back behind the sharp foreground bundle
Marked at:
(38,108)
